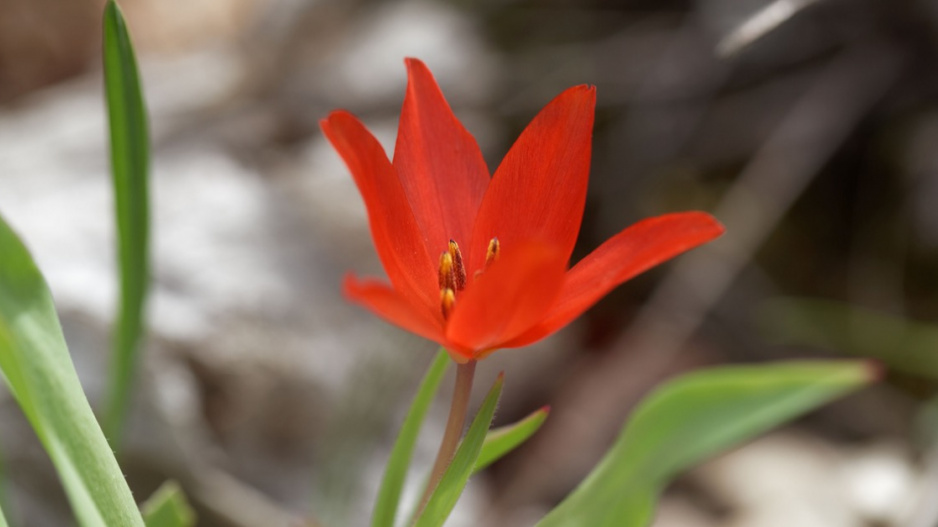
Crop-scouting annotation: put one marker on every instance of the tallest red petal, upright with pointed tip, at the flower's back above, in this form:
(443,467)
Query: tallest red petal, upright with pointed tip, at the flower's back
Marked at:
(440,164)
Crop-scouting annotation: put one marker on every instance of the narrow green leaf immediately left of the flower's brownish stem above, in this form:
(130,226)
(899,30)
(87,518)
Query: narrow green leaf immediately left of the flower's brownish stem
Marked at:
(396,471)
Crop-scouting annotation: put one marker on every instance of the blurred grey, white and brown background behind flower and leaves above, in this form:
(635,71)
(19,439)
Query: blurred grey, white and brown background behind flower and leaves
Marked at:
(809,127)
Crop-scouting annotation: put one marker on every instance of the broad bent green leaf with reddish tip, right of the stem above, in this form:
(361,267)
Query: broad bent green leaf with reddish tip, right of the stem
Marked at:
(691,419)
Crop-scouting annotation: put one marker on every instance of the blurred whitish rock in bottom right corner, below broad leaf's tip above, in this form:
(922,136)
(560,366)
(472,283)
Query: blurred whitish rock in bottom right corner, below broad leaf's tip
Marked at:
(789,478)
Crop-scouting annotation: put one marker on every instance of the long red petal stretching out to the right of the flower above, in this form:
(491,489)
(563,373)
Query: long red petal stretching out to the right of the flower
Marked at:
(632,251)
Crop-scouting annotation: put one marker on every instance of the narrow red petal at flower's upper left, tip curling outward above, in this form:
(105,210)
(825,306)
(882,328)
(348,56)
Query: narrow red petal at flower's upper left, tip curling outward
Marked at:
(396,234)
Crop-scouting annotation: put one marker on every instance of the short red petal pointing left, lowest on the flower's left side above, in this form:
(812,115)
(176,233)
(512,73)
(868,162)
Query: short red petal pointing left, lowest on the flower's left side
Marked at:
(391,306)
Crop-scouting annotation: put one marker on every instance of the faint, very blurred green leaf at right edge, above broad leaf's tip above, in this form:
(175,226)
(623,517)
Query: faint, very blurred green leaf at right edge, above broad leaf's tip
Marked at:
(903,345)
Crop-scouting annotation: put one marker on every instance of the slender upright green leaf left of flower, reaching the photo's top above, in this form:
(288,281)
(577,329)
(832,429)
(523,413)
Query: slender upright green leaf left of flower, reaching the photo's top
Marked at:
(130,164)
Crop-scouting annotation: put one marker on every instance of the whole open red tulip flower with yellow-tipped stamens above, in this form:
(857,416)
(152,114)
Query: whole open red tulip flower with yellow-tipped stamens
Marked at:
(479,262)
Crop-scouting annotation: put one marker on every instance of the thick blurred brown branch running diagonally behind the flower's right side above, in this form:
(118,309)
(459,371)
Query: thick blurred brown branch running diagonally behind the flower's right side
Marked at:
(602,388)
